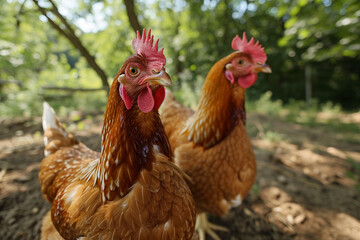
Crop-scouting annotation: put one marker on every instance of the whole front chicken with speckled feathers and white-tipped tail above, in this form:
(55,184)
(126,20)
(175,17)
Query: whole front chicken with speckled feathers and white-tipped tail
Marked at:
(132,189)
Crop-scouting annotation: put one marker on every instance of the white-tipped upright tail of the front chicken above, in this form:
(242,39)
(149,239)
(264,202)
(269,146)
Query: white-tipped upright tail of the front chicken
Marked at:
(55,135)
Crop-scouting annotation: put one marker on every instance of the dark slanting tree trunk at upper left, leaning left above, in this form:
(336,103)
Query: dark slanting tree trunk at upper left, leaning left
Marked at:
(69,33)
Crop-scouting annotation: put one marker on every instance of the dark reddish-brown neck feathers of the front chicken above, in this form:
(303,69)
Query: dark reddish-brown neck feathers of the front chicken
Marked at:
(130,140)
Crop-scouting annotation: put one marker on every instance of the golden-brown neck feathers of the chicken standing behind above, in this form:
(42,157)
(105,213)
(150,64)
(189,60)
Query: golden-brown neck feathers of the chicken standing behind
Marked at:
(220,108)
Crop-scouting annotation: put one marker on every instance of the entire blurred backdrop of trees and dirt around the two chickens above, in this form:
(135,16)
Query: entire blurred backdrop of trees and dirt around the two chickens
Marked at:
(303,119)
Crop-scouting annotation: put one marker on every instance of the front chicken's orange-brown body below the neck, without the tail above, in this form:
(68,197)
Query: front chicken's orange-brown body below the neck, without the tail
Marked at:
(154,208)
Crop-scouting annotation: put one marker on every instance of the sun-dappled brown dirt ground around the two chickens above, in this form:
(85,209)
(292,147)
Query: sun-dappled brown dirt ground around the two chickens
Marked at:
(305,188)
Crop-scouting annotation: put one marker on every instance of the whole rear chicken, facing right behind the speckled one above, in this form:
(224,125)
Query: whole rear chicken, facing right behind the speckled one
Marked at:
(211,144)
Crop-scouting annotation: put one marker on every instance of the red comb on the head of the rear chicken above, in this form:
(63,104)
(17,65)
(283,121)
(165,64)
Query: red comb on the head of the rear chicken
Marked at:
(256,51)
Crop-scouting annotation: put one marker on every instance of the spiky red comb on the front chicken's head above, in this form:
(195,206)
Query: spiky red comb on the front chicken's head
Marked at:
(144,46)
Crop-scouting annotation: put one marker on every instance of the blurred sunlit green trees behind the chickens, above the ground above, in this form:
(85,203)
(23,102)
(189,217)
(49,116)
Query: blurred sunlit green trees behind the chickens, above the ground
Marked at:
(52,49)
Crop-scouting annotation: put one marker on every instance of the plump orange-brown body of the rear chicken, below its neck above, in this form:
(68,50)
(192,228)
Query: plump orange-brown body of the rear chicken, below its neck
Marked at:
(221,174)
